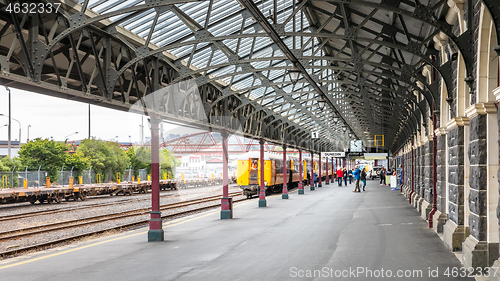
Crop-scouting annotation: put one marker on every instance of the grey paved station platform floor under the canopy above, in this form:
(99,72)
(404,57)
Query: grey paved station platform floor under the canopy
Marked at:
(329,233)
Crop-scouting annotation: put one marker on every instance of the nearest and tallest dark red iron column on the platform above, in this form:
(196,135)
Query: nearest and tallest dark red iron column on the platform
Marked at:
(155,232)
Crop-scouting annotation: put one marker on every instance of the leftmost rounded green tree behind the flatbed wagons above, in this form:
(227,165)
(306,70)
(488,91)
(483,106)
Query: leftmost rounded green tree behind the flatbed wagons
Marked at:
(48,154)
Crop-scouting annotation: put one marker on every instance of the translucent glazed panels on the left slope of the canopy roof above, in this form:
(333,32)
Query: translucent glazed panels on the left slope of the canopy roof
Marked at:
(221,40)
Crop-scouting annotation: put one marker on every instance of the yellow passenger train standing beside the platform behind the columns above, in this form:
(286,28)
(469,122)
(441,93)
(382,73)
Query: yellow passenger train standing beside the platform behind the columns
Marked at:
(248,172)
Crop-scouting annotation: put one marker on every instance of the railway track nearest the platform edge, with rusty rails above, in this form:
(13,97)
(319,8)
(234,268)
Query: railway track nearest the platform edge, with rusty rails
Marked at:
(25,233)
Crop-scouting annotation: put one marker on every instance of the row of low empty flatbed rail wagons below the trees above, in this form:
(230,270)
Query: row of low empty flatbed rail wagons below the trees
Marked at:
(55,194)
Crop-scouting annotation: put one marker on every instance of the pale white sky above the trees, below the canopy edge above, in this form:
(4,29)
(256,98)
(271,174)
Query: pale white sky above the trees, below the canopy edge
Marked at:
(60,119)
